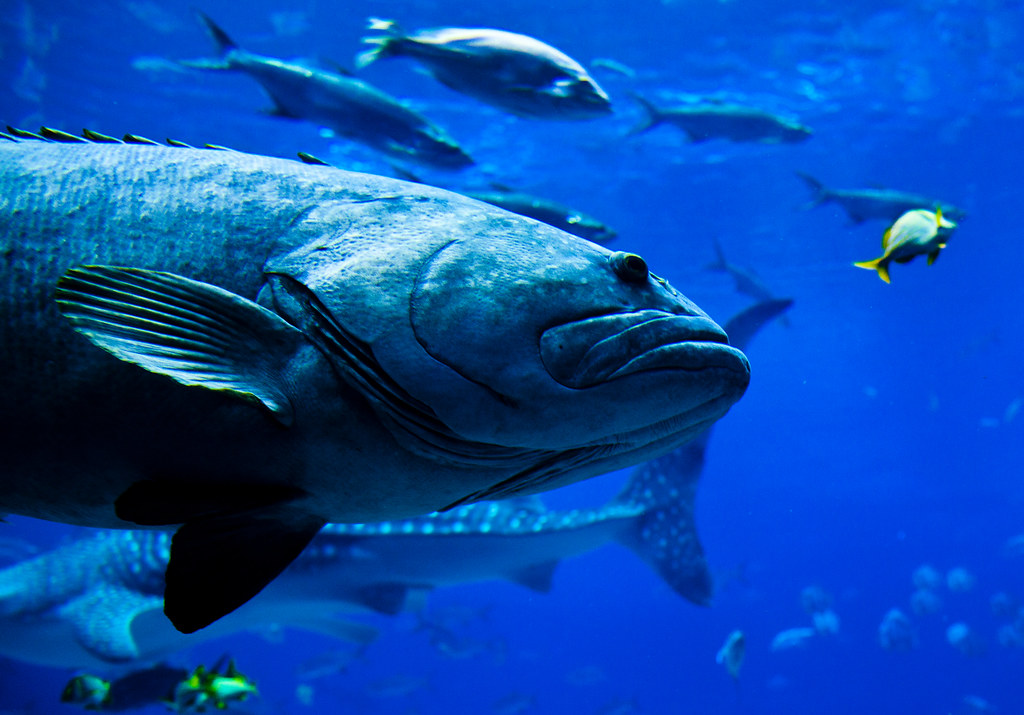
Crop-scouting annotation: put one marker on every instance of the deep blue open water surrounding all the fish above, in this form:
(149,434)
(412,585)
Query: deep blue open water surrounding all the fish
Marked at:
(879,432)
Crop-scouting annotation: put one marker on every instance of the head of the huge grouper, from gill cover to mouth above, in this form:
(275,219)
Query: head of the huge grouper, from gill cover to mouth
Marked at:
(498,339)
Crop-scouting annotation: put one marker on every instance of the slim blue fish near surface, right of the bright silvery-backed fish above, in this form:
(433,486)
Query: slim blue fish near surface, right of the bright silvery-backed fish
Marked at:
(706,121)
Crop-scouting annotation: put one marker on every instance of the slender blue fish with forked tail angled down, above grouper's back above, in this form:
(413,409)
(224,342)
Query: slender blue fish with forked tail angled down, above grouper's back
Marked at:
(349,106)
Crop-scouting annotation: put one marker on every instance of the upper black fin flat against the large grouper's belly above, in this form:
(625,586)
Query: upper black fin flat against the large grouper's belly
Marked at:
(153,503)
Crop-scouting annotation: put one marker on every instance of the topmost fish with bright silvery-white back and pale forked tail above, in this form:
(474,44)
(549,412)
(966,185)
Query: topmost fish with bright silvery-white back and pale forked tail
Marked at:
(513,72)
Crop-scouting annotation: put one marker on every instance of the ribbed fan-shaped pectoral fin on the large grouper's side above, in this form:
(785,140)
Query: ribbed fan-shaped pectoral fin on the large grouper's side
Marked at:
(193,332)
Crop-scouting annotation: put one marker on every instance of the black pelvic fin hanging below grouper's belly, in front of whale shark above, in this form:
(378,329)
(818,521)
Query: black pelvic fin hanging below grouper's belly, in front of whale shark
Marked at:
(219,564)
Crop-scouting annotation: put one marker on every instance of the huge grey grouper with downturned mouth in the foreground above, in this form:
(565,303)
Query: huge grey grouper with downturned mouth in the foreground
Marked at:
(340,348)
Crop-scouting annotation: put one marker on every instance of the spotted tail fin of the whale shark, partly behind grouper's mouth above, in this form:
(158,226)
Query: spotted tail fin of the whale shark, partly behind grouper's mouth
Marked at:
(665,535)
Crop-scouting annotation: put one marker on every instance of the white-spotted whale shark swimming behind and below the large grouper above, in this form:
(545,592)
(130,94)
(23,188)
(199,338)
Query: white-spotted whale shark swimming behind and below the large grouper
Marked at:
(100,598)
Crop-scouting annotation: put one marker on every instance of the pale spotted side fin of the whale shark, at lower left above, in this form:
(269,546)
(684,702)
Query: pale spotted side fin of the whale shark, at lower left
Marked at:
(102,620)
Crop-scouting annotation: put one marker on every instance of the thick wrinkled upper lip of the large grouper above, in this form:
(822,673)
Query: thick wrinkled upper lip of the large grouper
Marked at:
(593,351)
